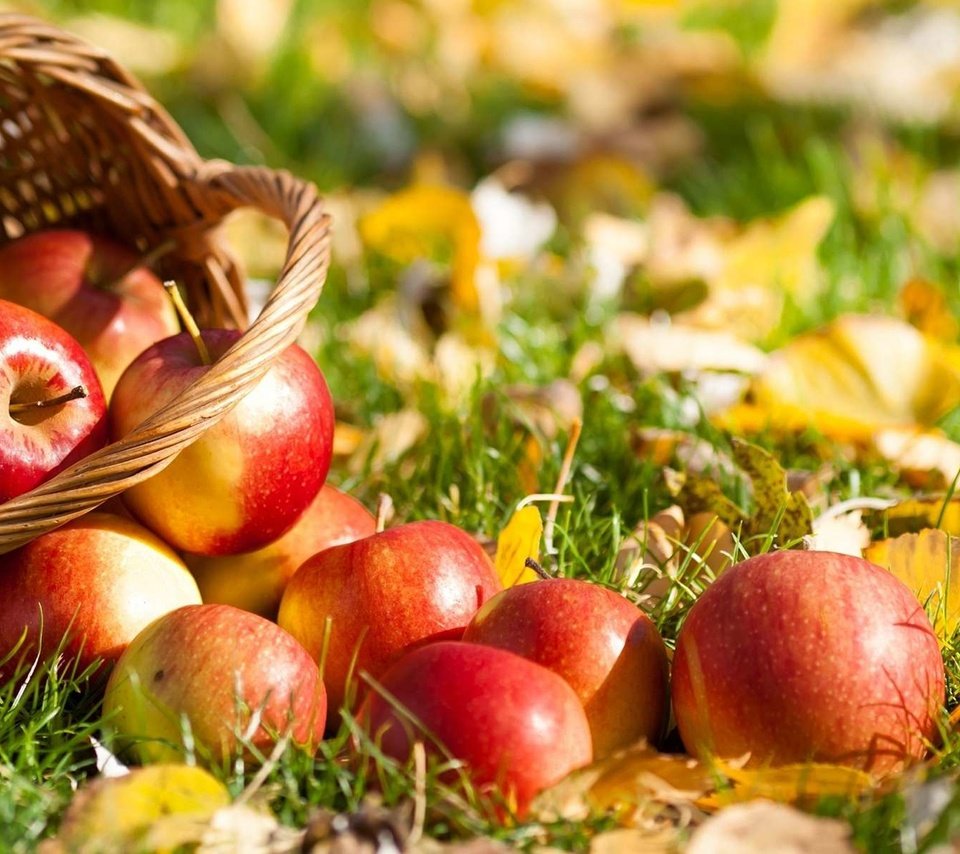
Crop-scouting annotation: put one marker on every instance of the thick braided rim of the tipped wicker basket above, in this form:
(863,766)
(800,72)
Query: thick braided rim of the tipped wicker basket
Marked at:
(153,445)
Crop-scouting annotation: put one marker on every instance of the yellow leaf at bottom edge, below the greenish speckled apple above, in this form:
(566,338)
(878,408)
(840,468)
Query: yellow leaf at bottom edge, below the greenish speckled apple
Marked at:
(118,814)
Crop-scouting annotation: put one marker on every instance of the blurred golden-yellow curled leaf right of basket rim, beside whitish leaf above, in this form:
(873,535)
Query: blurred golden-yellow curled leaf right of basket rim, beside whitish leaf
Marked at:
(430,222)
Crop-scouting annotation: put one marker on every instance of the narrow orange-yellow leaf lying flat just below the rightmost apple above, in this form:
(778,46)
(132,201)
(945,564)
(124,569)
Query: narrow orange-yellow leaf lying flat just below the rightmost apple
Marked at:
(793,784)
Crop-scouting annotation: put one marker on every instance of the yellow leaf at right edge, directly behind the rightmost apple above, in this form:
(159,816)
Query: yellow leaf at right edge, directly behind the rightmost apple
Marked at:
(929,564)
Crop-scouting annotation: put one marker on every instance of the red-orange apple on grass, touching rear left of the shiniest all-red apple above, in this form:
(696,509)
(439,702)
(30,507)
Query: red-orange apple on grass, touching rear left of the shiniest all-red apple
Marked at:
(383,594)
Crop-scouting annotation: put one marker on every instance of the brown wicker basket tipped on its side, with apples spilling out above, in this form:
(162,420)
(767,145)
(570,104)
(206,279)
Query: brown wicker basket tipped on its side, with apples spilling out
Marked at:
(83,144)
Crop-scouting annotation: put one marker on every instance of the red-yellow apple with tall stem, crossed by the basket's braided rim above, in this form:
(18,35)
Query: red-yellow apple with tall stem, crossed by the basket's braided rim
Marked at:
(247,479)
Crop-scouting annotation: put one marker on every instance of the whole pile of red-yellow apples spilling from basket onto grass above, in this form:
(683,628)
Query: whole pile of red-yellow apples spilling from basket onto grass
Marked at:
(235,598)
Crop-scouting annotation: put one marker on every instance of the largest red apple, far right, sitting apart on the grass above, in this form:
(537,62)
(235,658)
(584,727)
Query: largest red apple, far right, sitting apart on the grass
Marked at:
(797,656)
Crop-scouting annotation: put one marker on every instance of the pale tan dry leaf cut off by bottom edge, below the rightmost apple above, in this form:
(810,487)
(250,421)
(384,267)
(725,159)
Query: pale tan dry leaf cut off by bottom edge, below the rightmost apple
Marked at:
(761,827)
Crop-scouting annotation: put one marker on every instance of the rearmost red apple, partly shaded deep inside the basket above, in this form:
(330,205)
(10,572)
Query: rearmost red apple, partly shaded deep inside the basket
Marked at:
(93,287)
